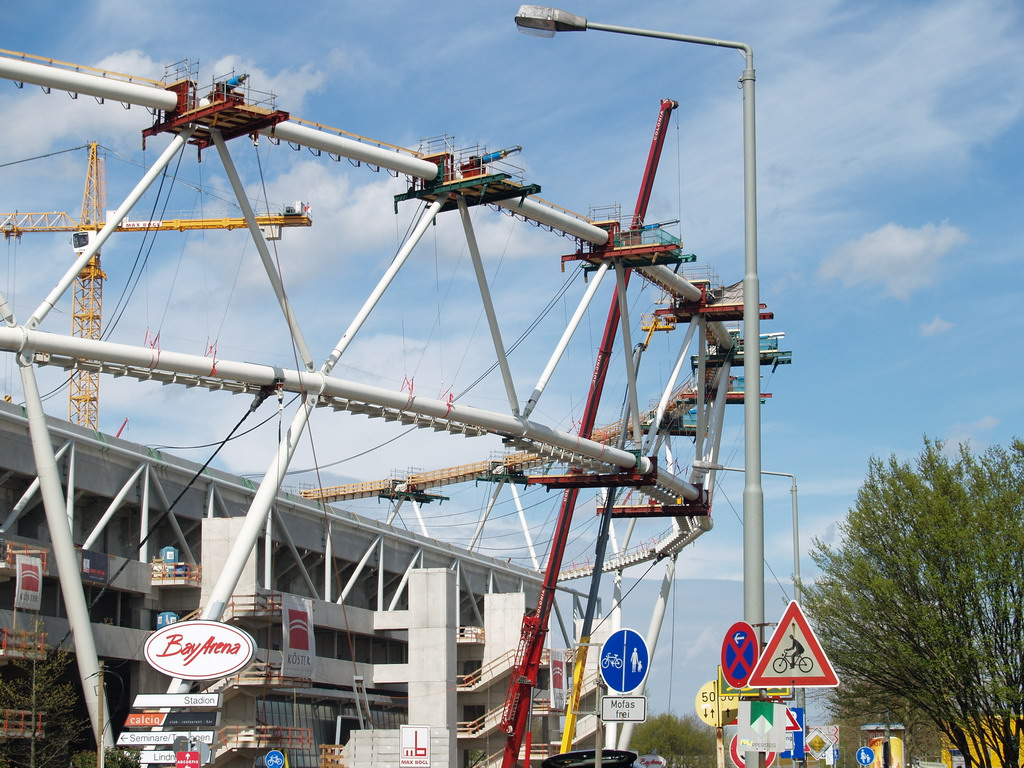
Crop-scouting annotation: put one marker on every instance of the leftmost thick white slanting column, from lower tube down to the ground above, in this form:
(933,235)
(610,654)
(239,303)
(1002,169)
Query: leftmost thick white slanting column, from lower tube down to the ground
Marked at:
(69,570)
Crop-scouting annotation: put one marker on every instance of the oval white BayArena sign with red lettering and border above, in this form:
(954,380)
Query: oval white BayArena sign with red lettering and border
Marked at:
(199,651)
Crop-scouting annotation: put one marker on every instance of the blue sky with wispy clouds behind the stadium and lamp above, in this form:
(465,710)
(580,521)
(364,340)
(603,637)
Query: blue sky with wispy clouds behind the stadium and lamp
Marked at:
(890,193)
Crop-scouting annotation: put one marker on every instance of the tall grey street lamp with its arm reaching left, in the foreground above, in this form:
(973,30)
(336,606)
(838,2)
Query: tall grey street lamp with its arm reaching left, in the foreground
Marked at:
(538,20)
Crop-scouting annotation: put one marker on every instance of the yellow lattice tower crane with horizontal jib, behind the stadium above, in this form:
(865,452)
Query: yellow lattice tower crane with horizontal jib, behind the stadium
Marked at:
(83,405)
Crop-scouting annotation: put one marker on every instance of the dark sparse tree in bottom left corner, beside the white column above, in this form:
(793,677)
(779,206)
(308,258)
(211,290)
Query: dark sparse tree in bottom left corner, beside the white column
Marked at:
(44,689)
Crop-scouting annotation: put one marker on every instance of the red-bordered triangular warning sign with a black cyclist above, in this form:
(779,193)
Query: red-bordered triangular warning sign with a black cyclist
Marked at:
(793,657)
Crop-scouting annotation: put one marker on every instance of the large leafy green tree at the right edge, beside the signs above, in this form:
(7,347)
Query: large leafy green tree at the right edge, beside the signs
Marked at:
(920,605)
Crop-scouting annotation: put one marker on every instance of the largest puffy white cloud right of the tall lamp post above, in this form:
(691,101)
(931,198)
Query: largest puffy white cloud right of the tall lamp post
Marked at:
(898,260)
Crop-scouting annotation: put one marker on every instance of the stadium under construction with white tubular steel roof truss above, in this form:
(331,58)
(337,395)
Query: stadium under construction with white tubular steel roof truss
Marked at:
(409,629)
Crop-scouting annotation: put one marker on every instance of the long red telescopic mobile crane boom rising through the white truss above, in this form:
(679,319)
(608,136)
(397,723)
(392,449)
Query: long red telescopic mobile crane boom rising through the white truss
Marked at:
(535,626)
